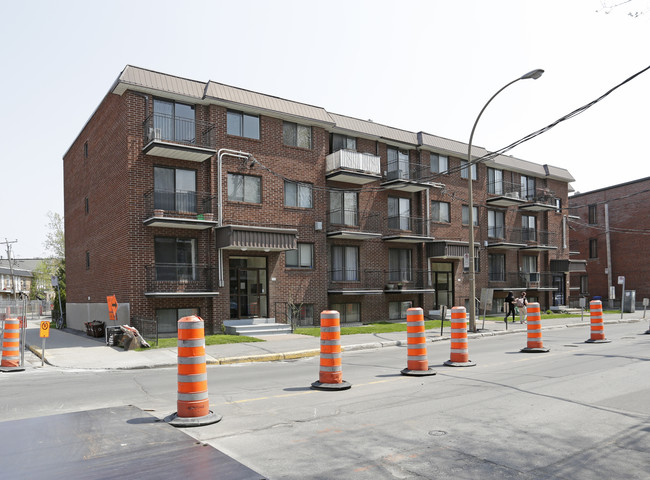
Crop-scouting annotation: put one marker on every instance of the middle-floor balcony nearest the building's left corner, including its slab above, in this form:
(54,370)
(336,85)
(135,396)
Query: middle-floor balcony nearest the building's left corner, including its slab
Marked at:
(180,209)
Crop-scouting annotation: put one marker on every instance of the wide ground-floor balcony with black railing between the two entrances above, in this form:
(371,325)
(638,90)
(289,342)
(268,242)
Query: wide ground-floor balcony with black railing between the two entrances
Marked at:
(375,282)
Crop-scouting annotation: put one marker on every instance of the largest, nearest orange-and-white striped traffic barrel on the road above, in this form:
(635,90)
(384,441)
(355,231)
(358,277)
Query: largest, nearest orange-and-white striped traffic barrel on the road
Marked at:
(193,403)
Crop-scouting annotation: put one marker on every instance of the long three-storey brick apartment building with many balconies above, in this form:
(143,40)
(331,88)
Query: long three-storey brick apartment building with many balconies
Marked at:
(190,197)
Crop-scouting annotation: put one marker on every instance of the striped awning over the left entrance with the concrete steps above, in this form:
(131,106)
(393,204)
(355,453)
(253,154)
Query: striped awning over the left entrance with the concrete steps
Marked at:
(246,237)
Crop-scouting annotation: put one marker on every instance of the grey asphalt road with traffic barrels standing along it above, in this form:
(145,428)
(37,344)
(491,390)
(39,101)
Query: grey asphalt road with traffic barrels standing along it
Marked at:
(580,411)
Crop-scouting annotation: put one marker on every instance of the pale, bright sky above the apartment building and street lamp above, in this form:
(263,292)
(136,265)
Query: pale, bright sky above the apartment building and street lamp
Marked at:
(418,65)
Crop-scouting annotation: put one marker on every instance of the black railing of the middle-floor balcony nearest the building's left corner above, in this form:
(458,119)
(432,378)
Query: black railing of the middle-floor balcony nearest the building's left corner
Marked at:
(180,204)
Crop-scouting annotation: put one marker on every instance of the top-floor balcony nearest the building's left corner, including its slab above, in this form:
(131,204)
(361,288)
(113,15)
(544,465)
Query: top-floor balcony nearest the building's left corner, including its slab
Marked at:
(178,138)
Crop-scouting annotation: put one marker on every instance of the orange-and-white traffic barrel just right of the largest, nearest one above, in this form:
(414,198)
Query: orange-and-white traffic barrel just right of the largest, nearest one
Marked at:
(330,376)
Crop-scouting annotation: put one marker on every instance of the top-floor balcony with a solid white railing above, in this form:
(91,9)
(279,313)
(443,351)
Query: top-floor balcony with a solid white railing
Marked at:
(352,167)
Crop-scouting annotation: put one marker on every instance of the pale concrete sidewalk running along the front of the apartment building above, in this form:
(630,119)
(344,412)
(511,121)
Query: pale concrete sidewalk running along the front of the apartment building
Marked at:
(76,350)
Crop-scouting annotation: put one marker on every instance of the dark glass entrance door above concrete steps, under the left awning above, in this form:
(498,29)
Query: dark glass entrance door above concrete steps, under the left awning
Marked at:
(248,287)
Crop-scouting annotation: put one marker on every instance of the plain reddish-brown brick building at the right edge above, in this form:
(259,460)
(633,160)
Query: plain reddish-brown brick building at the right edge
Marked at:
(620,213)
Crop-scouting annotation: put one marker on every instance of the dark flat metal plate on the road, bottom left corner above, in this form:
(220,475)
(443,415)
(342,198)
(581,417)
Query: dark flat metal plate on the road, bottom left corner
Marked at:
(110,443)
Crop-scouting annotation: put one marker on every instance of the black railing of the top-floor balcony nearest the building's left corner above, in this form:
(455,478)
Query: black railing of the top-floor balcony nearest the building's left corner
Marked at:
(178,130)
